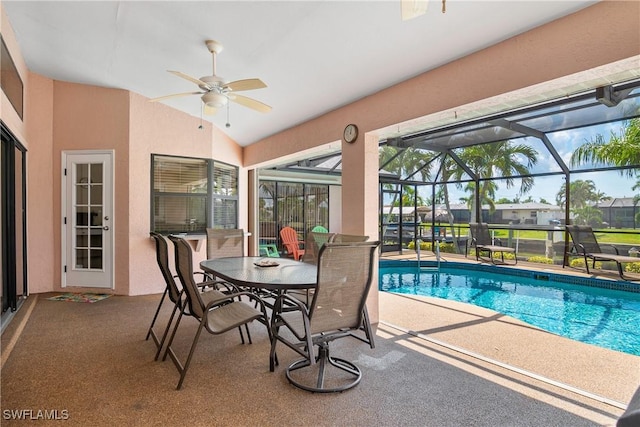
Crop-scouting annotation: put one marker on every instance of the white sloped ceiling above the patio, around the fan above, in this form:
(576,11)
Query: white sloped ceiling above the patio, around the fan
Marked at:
(314,56)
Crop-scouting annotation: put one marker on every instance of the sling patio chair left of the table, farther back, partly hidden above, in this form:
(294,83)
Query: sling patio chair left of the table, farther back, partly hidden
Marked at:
(175,293)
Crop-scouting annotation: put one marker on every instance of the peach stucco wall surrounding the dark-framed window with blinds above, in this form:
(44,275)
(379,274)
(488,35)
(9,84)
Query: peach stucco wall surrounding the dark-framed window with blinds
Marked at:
(159,129)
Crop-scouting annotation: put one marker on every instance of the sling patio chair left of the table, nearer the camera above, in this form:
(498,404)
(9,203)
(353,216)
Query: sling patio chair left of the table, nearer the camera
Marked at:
(216,315)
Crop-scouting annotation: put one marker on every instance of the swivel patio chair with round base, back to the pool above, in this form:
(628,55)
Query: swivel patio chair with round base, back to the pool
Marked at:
(337,310)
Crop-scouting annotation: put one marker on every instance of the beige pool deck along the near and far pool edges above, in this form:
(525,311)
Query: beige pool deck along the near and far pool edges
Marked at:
(487,335)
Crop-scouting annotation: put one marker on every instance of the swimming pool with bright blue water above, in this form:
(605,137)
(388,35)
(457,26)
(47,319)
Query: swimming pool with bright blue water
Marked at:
(608,318)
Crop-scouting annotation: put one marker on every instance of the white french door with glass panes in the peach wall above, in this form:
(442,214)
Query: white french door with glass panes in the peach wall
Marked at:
(87,210)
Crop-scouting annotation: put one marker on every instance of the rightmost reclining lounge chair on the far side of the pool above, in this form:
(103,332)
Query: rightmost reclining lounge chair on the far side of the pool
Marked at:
(585,244)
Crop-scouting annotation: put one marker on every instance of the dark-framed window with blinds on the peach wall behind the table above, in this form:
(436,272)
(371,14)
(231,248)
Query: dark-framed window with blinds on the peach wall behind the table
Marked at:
(191,194)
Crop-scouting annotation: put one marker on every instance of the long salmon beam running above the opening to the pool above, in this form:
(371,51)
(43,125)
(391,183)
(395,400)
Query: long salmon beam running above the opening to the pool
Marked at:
(595,36)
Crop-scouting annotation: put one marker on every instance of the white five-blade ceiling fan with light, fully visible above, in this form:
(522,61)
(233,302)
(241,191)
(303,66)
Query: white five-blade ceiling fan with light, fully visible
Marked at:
(216,91)
